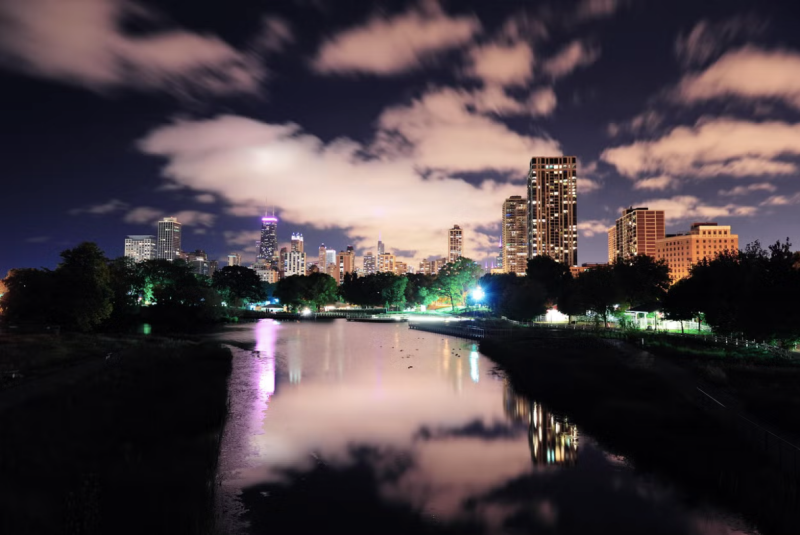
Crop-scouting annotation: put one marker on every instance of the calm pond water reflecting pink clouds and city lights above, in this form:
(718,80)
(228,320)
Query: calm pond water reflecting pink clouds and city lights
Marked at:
(345,427)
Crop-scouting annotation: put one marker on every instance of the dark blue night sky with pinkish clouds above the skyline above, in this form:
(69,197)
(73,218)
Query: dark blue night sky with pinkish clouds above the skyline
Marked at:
(398,119)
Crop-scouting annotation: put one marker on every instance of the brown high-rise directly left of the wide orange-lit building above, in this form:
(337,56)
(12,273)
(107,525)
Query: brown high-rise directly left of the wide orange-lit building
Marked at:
(636,232)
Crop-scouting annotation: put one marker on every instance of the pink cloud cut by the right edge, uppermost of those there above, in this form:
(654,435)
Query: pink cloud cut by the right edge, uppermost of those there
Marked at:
(747,73)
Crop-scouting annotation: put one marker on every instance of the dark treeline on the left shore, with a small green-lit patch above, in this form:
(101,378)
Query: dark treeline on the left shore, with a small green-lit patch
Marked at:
(88,291)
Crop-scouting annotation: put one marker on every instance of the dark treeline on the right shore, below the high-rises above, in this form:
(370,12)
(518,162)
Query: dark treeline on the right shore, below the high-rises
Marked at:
(751,293)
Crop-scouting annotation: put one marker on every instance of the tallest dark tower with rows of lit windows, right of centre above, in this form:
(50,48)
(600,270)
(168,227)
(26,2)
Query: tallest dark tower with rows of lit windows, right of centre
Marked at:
(553,208)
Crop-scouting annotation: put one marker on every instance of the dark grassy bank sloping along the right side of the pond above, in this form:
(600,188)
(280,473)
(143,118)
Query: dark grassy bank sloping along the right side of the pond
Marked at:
(645,415)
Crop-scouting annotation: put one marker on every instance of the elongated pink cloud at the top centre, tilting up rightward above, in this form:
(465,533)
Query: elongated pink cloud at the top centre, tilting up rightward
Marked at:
(393,45)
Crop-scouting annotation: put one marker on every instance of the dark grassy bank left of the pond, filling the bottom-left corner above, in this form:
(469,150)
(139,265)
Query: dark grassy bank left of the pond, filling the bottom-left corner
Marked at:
(130,447)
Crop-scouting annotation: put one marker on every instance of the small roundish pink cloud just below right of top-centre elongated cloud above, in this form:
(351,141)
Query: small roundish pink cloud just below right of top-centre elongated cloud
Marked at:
(502,64)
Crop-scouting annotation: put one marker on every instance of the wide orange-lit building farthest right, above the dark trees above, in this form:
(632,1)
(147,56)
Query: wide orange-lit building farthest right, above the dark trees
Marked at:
(704,240)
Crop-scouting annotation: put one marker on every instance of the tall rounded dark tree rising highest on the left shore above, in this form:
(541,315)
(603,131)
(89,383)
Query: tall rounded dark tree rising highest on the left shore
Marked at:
(83,287)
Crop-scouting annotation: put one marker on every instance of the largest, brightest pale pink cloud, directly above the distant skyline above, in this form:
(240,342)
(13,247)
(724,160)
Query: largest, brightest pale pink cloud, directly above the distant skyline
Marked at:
(239,159)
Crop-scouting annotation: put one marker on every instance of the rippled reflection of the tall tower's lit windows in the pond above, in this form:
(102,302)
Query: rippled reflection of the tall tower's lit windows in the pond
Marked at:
(552,438)
